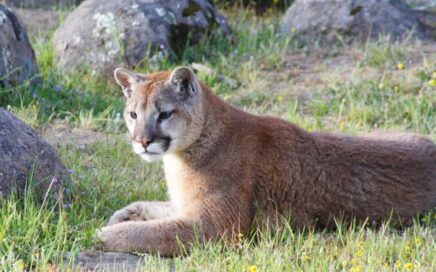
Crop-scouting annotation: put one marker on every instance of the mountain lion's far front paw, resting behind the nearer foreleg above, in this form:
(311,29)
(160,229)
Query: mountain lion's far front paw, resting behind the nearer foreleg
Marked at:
(142,211)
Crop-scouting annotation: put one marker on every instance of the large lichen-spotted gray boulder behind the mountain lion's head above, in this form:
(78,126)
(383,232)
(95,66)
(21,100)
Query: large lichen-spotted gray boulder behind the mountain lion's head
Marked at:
(103,34)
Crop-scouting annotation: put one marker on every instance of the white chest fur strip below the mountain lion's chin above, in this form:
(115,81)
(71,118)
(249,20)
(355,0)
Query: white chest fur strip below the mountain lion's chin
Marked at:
(174,174)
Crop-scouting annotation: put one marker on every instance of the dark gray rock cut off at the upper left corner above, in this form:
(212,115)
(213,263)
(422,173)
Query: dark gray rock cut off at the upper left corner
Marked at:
(17,58)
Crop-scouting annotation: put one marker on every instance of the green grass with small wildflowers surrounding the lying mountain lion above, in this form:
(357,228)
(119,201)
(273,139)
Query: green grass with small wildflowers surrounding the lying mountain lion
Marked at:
(373,96)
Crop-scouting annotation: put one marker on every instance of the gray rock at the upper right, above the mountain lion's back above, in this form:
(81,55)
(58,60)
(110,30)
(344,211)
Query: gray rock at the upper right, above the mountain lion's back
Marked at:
(361,18)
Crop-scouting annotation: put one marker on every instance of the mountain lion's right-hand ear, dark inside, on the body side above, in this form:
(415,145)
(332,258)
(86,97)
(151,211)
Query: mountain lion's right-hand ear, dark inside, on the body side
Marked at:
(185,82)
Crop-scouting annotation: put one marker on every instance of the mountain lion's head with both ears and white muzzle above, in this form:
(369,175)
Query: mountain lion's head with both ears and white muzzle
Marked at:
(163,111)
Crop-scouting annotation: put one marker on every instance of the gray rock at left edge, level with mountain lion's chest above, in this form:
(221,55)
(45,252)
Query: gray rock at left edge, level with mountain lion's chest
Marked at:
(24,153)
